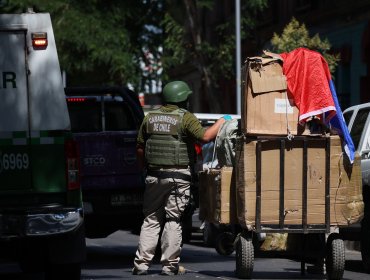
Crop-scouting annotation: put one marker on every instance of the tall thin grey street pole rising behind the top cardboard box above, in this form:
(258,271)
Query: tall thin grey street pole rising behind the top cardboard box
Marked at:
(238,58)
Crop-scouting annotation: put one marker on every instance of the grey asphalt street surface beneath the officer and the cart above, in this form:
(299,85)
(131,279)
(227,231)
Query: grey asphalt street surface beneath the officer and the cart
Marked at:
(112,258)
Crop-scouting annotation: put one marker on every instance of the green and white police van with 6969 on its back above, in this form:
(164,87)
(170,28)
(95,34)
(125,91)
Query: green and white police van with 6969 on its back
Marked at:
(41,218)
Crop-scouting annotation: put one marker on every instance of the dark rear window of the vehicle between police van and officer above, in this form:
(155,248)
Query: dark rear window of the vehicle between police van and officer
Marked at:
(87,116)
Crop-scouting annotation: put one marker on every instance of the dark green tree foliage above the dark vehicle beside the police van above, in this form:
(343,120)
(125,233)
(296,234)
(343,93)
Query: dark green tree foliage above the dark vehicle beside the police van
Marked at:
(100,41)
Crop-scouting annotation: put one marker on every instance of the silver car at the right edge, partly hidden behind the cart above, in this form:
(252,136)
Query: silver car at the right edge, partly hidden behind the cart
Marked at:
(358,120)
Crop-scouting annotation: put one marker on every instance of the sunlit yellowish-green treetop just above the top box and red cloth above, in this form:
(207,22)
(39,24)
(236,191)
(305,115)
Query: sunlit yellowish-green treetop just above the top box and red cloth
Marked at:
(296,35)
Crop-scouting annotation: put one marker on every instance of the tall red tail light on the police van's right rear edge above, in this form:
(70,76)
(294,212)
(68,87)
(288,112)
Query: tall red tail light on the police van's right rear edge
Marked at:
(72,164)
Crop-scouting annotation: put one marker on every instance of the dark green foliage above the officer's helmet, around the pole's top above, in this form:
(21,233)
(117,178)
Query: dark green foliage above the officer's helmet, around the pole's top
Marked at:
(218,58)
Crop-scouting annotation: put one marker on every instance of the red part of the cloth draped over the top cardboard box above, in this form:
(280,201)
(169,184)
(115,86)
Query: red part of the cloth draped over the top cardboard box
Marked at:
(308,78)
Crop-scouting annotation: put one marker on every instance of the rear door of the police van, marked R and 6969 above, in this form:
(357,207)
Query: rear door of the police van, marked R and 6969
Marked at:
(14,110)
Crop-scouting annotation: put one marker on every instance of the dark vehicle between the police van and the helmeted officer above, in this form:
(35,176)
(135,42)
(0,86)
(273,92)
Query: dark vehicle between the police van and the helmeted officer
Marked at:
(105,122)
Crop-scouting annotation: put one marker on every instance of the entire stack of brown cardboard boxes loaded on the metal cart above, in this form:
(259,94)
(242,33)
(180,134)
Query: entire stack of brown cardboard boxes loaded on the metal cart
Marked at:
(267,111)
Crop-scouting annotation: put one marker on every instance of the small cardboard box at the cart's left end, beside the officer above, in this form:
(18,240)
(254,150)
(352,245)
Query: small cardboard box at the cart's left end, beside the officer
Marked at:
(217,196)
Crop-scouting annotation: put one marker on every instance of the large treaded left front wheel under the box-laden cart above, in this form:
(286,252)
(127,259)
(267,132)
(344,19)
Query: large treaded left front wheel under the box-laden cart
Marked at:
(244,257)
